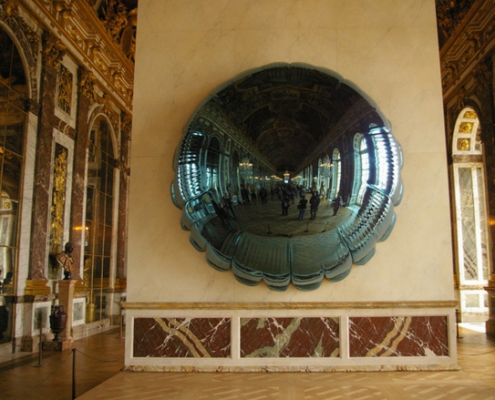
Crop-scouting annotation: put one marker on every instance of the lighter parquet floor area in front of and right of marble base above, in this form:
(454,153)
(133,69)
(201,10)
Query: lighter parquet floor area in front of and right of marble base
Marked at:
(476,381)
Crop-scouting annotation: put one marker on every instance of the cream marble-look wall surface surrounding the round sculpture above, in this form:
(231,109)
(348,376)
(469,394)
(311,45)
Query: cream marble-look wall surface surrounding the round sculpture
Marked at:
(388,48)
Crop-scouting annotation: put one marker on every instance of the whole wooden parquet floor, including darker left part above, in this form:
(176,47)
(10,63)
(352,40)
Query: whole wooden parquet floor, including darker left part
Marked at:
(100,358)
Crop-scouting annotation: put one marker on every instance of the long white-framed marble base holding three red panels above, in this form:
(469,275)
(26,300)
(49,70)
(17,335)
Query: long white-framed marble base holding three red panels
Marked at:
(290,340)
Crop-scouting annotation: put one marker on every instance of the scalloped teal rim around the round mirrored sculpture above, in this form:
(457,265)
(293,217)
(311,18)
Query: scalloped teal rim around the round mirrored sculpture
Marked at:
(277,261)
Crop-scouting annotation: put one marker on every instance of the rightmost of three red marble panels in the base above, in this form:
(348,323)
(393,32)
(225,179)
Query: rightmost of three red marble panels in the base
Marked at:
(398,336)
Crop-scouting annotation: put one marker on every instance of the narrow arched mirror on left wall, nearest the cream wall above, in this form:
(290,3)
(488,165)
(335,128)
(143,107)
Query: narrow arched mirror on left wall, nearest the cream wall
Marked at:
(99,218)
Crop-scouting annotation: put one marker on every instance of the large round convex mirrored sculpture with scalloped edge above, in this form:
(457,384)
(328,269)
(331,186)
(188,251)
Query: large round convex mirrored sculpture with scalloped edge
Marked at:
(274,136)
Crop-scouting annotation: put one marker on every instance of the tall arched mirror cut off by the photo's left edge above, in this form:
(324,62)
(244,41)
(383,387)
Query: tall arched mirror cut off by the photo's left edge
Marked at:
(13,116)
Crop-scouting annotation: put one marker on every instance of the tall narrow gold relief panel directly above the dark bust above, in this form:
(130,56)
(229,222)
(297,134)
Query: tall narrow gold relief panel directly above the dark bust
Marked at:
(58,200)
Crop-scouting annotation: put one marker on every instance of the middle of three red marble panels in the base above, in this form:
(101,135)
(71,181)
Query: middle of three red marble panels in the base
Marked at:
(290,337)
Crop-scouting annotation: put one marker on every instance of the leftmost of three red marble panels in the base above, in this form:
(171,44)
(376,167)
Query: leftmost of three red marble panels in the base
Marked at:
(182,337)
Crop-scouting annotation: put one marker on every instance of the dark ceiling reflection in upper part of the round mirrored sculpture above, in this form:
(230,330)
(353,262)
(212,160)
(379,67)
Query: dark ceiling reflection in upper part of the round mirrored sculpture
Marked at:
(288,110)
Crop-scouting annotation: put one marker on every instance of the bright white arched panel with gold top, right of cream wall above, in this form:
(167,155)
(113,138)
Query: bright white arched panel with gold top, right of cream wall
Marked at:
(471,213)
